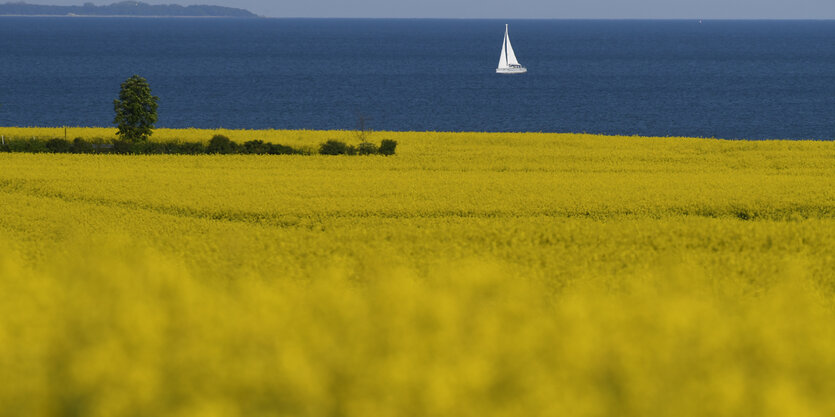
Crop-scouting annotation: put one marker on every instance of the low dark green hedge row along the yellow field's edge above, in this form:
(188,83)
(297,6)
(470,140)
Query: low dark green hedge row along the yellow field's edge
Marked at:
(217,145)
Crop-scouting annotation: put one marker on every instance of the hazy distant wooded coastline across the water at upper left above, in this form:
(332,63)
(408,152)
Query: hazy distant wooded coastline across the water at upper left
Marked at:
(125,8)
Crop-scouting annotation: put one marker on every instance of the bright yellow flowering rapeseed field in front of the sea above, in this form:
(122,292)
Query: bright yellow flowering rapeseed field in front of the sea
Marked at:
(472,274)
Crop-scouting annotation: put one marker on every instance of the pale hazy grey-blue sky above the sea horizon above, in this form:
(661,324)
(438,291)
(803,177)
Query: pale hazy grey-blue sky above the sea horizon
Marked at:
(549,9)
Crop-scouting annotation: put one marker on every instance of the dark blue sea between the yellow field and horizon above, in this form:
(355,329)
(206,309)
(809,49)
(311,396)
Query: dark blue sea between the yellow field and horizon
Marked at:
(730,79)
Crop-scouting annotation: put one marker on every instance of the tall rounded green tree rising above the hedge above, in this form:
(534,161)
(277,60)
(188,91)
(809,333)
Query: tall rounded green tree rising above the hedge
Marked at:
(136,110)
